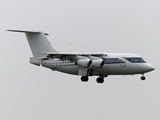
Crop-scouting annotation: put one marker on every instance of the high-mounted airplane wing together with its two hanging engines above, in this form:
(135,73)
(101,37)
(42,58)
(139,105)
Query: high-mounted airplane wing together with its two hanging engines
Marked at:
(84,60)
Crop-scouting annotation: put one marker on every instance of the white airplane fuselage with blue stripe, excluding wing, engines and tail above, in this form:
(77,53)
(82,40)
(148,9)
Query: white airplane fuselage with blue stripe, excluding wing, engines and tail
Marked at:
(115,64)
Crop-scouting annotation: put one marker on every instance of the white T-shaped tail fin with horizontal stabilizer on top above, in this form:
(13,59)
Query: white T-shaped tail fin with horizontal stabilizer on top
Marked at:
(38,42)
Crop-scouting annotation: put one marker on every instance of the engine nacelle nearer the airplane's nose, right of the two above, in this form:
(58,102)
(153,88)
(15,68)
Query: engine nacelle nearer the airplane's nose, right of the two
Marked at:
(98,63)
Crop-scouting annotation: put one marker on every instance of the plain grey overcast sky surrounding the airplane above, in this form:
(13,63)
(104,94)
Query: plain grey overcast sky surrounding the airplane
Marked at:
(28,92)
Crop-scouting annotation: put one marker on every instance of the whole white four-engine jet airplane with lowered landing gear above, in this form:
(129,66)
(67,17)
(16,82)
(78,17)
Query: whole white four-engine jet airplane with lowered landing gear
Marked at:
(100,64)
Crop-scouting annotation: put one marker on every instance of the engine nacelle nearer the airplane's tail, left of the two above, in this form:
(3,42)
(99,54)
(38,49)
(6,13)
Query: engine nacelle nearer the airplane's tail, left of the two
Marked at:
(84,62)
